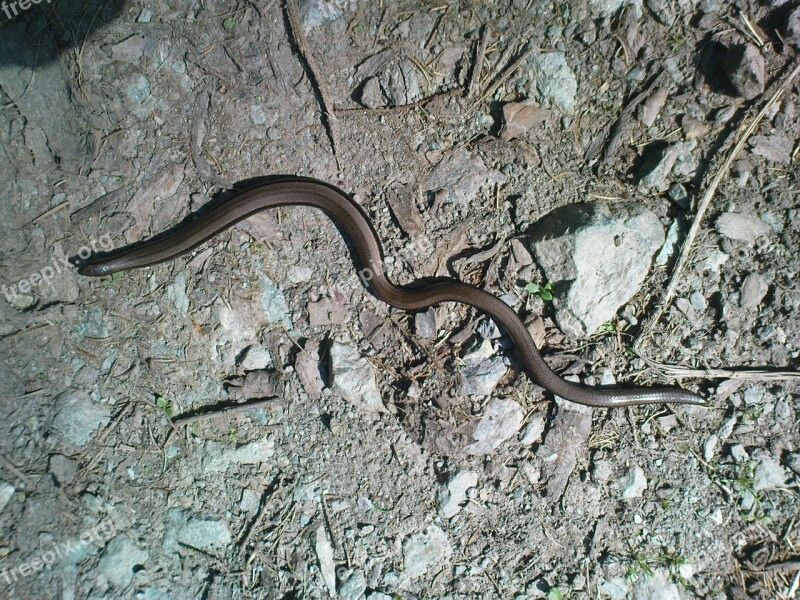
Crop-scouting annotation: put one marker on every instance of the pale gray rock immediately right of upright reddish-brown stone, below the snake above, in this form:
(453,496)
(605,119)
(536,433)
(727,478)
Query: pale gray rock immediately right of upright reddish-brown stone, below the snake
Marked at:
(354,378)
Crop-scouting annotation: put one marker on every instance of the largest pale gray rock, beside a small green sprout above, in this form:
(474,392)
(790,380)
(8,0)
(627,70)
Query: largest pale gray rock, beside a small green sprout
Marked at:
(597,260)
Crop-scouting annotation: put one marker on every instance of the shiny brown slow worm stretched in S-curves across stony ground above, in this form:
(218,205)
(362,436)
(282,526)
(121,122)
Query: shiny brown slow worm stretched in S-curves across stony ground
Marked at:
(296,191)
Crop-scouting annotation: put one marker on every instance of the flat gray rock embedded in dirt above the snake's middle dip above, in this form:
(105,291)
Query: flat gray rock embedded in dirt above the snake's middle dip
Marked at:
(459,177)
